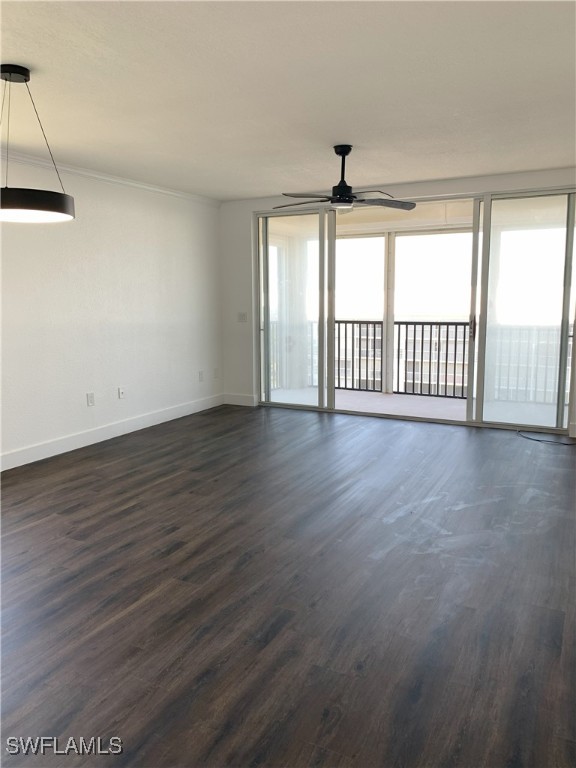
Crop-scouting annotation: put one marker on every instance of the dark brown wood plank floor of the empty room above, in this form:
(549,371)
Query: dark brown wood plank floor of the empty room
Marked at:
(266,587)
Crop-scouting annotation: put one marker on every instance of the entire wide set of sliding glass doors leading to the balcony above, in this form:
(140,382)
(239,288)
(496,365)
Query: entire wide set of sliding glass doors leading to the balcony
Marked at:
(469,321)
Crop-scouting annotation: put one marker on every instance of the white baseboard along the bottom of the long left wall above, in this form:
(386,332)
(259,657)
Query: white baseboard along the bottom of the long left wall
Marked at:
(49,448)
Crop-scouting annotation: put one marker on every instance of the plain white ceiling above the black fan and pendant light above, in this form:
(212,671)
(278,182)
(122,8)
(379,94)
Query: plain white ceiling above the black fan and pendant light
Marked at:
(239,99)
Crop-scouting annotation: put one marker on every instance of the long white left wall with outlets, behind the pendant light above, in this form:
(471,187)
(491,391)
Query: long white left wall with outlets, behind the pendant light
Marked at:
(126,295)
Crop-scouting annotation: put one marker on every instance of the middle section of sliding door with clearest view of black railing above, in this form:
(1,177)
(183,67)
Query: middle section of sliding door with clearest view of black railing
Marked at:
(402,323)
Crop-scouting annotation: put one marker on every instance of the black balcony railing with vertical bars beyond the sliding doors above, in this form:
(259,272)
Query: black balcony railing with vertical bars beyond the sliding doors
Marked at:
(429,359)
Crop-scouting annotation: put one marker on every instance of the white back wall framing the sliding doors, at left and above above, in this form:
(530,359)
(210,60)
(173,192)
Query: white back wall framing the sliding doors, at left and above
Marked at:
(239,268)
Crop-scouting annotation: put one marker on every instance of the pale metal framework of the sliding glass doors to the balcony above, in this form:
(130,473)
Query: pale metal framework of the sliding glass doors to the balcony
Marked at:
(481,227)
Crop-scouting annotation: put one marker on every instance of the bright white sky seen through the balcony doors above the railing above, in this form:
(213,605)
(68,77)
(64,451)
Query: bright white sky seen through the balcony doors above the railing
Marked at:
(433,277)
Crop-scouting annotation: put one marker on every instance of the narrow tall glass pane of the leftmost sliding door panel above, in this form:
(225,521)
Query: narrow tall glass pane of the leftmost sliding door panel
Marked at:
(293,290)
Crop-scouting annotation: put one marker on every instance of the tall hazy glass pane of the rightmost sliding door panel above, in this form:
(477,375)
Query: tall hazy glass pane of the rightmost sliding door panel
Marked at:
(525,288)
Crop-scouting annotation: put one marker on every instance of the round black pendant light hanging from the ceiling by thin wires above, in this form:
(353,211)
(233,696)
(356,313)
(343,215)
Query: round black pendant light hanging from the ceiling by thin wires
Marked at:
(29,205)
